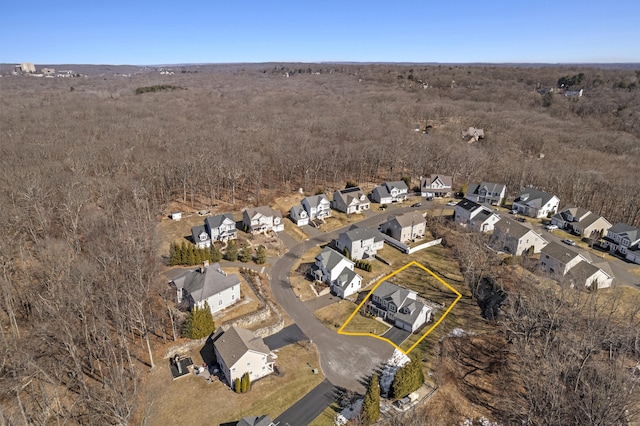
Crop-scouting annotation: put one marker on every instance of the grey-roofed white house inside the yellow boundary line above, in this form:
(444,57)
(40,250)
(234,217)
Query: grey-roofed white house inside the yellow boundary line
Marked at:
(399,306)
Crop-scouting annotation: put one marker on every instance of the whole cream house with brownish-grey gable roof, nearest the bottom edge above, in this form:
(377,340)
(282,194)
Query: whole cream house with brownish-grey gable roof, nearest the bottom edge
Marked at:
(239,351)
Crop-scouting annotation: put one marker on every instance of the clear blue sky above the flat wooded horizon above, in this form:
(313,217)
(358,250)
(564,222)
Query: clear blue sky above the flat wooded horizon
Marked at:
(139,32)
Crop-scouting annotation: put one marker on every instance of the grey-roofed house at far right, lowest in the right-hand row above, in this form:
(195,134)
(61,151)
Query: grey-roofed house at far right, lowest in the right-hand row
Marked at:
(559,260)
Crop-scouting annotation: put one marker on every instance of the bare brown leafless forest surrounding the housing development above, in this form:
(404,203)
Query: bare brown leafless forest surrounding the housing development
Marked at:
(89,167)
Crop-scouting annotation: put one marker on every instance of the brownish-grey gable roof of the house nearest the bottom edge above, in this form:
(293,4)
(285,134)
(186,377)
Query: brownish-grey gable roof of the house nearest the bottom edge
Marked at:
(233,343)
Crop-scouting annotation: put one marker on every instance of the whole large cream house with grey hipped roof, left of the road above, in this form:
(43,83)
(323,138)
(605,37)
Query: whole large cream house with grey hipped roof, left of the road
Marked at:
(210,284)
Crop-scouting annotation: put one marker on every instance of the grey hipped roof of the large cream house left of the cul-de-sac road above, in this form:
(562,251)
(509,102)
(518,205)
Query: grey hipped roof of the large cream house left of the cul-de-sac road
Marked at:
(203,284)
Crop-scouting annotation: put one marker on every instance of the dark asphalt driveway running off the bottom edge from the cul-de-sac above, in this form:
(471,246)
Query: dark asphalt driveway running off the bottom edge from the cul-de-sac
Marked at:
(310,406)
